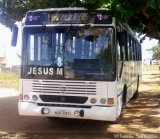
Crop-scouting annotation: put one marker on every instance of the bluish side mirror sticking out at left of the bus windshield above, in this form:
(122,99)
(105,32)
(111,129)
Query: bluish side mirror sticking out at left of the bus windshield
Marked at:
(14,35)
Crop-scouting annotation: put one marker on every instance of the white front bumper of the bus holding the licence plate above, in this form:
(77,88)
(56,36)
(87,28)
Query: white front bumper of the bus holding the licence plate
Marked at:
(94,113)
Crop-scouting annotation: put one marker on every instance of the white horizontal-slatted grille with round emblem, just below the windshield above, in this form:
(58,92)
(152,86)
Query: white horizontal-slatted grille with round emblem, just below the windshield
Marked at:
(64,87)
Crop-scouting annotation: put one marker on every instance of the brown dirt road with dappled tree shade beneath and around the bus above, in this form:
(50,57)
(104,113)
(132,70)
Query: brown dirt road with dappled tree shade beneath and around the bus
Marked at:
(141,118)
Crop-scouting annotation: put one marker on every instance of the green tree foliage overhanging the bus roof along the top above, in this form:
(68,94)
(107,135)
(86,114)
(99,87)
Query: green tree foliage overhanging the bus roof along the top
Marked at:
(142,15)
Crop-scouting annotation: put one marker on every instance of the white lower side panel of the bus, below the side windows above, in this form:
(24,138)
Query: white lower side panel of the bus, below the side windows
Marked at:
(129,77)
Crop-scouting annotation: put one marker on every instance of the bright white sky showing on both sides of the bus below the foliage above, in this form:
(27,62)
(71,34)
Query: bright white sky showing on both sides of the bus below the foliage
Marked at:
(13,59)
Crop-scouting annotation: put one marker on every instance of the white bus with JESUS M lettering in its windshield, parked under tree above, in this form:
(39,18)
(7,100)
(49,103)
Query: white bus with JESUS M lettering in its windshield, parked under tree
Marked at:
(77,63)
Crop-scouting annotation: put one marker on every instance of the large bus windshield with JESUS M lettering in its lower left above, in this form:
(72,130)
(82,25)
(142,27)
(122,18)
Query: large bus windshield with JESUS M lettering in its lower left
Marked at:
(81,53)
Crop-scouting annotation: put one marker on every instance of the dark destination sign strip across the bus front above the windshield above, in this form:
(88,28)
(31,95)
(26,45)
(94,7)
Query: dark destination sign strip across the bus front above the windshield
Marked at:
(67,17)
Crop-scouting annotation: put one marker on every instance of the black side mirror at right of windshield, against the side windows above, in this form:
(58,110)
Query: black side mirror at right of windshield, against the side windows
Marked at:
(122,38)
